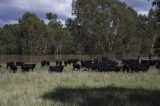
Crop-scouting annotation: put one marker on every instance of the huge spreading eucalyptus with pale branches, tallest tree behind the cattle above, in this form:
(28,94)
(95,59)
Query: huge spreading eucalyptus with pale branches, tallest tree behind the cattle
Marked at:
(108,25)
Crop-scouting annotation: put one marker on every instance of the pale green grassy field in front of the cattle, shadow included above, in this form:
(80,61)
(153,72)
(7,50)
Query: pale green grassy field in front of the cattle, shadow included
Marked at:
(84,88)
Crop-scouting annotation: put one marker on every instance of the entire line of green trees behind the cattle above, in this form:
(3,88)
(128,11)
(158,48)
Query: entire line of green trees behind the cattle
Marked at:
(99,27)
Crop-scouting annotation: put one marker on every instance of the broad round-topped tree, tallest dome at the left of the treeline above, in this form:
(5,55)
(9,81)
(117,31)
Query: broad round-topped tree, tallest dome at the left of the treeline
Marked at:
(33,32)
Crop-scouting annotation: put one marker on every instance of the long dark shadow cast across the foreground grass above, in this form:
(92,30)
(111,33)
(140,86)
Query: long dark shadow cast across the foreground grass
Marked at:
(110,96)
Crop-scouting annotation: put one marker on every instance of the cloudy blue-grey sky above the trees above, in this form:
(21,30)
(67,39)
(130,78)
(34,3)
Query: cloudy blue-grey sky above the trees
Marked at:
(12,10)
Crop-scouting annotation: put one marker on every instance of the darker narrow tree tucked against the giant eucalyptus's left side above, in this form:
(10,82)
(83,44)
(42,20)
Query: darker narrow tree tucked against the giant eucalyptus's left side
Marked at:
(77,35)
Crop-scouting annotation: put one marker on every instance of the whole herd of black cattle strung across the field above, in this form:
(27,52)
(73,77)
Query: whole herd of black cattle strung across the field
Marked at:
(105,65)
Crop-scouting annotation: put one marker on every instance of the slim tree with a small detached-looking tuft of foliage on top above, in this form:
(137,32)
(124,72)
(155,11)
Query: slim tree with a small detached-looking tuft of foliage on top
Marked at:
(58,35)
